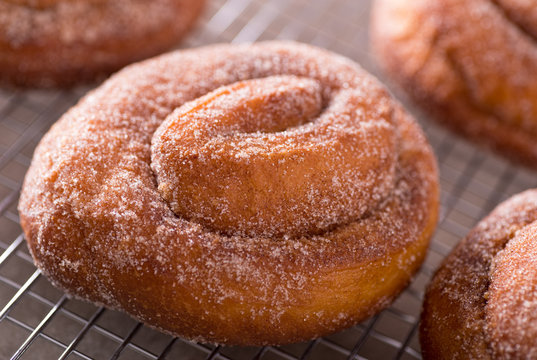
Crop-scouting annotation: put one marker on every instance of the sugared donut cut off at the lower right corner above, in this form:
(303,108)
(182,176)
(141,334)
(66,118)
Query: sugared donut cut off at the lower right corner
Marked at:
(482,302)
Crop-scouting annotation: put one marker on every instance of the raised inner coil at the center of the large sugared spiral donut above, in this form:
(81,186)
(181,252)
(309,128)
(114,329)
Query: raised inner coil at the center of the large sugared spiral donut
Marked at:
(262,158)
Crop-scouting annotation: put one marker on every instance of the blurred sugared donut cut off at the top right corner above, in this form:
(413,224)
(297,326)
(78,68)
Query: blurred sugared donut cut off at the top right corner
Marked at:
(470,64)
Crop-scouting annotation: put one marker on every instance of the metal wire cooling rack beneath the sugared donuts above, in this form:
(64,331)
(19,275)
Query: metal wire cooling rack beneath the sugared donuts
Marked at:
(38,321)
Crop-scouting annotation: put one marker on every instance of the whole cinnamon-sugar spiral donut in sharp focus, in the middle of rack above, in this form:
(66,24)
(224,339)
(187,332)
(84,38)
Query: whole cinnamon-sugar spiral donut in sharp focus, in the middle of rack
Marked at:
(234,194)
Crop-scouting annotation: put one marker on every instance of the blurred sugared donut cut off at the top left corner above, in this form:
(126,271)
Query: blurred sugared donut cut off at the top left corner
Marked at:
(59,43)
